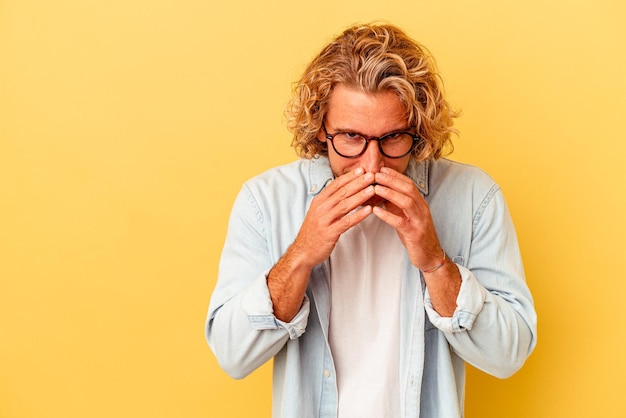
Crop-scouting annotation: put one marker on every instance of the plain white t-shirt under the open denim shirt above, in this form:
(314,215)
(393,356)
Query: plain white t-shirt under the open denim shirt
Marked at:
(364,330)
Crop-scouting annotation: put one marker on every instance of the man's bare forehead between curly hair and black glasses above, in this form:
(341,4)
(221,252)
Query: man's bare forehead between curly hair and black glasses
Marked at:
(372,113)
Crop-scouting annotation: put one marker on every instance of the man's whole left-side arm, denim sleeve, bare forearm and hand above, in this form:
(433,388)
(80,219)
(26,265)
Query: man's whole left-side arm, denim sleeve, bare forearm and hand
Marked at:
(253,314)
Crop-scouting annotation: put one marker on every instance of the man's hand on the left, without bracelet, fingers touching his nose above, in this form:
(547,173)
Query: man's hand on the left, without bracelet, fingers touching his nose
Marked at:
(332,213)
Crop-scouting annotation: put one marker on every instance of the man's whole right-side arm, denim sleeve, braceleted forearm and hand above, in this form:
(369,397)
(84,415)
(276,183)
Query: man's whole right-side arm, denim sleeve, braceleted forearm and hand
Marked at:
(485,310)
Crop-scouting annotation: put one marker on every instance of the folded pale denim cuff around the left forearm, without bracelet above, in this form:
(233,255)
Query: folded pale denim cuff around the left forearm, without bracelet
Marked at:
(257,304)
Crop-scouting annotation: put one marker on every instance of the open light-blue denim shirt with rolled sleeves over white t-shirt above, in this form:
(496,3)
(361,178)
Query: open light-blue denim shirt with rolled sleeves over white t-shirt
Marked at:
(493,327)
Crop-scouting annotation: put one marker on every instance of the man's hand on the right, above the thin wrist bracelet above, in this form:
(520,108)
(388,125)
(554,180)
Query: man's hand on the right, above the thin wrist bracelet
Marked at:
(407,211)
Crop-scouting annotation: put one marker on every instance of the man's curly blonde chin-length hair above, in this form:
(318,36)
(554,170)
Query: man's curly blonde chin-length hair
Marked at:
(373,58)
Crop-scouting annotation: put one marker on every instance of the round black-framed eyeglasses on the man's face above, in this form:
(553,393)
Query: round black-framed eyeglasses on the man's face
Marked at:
(392,145)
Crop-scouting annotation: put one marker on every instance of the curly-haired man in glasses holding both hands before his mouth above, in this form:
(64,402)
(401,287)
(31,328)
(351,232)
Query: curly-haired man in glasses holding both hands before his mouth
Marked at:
(371,269)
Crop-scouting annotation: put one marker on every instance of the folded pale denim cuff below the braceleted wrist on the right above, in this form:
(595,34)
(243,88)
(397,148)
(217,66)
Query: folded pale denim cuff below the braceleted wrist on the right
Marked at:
(469,303)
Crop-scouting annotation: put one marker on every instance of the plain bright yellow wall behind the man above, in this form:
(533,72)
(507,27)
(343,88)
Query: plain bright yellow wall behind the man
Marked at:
(127,128)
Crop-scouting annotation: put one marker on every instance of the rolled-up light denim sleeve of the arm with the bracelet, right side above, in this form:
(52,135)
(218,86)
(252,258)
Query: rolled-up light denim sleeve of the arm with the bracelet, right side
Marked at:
(494,325)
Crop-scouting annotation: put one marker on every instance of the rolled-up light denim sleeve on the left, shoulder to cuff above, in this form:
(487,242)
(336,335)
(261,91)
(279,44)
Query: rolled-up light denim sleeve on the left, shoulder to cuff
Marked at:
(241,328)
